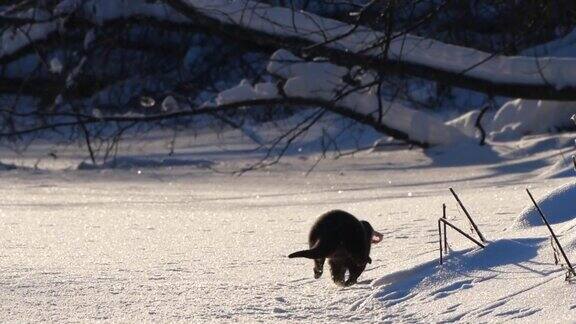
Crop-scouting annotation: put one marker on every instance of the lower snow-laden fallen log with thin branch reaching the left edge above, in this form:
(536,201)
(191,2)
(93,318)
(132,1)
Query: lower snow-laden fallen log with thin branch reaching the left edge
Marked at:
(348,92)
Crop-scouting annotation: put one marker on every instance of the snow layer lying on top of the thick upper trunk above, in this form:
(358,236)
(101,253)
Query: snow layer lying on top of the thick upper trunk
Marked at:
(556,71)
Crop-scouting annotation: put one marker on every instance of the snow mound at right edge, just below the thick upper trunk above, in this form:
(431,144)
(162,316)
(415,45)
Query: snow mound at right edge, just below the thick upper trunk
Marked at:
(520,117)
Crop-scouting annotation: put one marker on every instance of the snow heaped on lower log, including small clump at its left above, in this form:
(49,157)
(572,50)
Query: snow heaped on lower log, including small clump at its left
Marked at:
(326,85)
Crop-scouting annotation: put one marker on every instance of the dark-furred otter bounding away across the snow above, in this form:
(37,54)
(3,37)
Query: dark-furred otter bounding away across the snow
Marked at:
(345,241)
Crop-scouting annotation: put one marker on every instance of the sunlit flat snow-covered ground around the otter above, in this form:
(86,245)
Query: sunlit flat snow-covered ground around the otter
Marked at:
(186,243)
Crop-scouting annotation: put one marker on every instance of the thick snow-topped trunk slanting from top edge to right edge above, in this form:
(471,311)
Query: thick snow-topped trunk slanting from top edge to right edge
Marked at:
(301,32)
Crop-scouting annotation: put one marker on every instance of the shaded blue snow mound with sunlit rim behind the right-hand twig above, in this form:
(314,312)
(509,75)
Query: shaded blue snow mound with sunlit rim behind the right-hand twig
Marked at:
(558,206)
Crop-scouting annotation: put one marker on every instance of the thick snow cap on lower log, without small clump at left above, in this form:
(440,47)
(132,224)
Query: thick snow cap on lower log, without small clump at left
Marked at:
(326,81)
